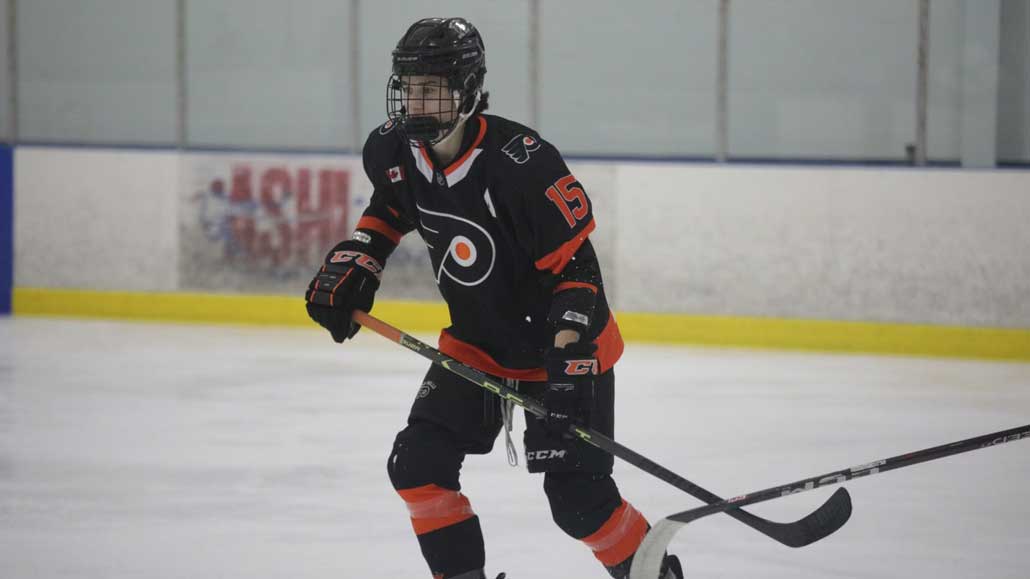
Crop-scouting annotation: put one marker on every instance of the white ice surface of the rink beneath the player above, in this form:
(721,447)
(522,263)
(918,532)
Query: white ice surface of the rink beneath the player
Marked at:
(136,451)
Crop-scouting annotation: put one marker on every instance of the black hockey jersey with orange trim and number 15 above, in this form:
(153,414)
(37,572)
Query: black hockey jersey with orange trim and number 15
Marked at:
(501,224)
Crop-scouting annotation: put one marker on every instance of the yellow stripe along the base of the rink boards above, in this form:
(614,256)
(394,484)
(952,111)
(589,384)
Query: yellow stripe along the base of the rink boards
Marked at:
(995,344)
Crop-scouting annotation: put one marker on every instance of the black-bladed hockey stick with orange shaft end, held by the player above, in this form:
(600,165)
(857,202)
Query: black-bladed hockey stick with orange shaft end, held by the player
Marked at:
(828,519)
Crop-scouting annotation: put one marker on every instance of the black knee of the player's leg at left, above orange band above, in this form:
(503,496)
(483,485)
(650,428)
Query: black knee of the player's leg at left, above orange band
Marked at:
(424,454)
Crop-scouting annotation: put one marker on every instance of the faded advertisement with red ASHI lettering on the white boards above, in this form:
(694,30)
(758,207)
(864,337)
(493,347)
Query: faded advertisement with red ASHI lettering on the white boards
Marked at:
(263,224)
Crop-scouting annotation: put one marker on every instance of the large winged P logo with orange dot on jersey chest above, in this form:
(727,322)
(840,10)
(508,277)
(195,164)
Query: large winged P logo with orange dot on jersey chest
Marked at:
(462,251)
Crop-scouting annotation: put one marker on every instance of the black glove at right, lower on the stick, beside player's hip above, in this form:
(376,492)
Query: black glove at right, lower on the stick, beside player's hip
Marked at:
(570,386)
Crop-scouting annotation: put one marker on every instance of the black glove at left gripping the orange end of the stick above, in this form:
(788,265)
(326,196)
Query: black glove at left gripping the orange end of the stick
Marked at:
(348,282)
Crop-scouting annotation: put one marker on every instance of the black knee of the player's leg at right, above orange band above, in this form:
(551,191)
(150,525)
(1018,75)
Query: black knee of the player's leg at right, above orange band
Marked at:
(581,502)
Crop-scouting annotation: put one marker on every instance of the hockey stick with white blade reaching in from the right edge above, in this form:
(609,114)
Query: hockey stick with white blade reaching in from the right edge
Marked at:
(649,556)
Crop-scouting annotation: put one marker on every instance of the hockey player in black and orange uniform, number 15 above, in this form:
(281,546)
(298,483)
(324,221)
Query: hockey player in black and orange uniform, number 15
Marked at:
(507,227)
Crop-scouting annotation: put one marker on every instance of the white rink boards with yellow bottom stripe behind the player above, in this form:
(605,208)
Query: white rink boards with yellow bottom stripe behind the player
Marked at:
(889,260)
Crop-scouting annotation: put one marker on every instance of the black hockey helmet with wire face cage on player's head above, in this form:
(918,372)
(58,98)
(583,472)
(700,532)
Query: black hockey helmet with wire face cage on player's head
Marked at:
(439,66)
